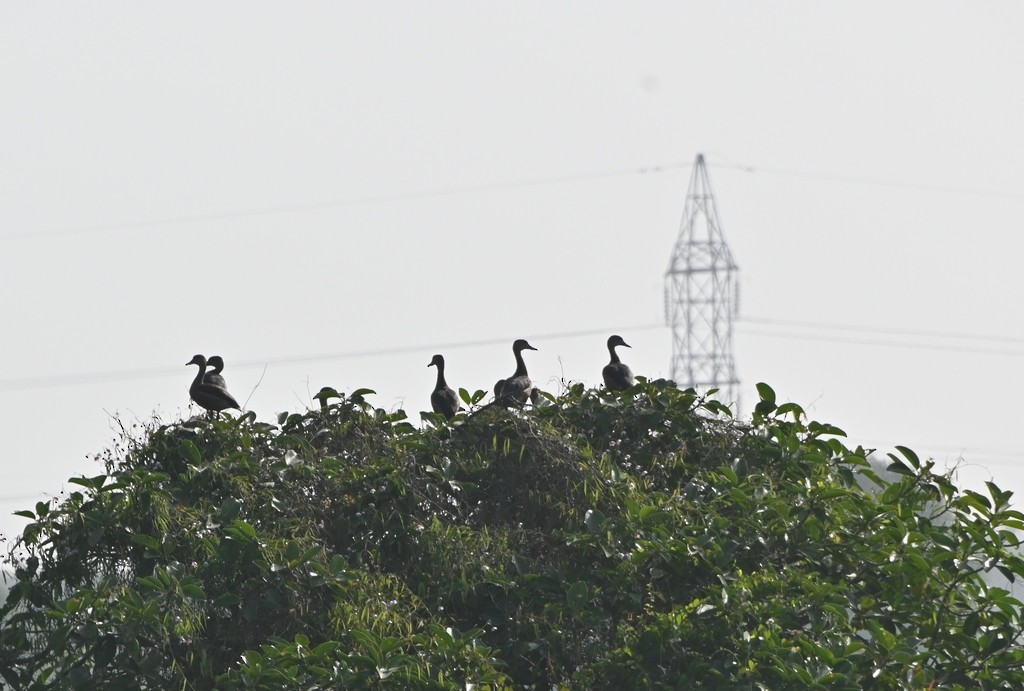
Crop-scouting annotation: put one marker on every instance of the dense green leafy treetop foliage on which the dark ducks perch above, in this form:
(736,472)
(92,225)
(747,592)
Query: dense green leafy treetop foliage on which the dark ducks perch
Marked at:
(602,541)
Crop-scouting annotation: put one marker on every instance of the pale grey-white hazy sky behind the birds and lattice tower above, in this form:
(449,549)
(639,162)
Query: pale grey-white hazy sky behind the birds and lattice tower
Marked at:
(150,154)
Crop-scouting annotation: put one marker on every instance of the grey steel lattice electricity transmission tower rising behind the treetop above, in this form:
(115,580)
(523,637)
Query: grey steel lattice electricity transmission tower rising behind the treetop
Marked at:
(702,297)
